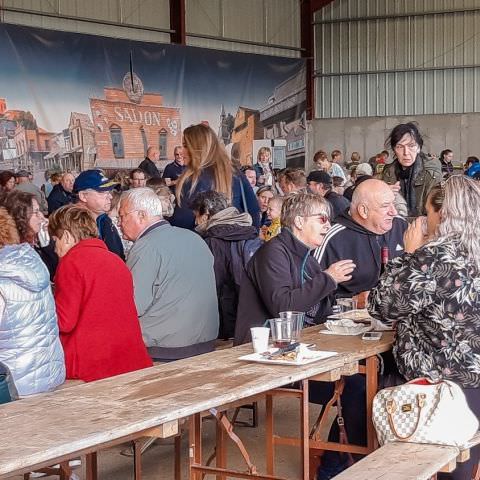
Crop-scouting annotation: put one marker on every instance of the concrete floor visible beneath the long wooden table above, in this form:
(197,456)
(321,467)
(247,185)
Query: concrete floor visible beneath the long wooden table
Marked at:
(158,460)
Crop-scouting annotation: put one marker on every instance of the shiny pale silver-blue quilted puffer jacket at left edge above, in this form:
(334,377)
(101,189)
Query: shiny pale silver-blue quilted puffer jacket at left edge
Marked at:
(29,343)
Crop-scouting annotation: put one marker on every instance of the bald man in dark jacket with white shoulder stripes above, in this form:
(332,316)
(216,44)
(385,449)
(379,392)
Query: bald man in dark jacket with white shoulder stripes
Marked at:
(360,235)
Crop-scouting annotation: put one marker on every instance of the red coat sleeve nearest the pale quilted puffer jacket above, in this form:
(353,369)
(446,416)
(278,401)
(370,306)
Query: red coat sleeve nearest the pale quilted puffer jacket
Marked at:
(69,288)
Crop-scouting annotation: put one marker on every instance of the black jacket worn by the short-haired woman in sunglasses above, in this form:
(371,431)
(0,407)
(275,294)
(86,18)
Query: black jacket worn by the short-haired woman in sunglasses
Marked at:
(281,276)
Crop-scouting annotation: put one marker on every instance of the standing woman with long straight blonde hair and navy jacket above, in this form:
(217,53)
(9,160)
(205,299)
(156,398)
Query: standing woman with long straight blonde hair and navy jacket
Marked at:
(208,167)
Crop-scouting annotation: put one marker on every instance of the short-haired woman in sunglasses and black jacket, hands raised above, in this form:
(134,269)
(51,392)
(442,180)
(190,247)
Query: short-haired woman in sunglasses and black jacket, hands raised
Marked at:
(283,275)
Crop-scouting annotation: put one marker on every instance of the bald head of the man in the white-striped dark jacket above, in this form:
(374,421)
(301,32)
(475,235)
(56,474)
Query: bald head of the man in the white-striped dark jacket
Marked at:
(373,206)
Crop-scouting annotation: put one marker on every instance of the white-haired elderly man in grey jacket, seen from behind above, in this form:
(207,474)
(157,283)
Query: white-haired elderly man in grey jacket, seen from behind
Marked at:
(173,278)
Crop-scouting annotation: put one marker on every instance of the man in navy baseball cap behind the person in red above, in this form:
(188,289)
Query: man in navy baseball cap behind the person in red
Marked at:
(94,191)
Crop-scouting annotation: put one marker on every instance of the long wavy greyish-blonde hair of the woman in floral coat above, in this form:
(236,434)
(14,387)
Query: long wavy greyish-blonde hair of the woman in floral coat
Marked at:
(459,216)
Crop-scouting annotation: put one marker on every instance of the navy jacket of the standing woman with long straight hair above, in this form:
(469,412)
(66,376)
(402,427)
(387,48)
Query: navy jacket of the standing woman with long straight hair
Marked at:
(183,216)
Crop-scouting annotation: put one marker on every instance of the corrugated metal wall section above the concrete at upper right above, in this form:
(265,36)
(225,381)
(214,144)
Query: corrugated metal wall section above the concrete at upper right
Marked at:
(410,63)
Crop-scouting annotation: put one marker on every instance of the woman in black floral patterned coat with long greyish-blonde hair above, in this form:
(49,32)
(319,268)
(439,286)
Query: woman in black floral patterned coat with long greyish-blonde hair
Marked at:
(432,295)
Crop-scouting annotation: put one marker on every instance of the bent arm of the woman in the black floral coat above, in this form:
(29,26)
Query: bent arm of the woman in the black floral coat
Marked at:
(406,288)
